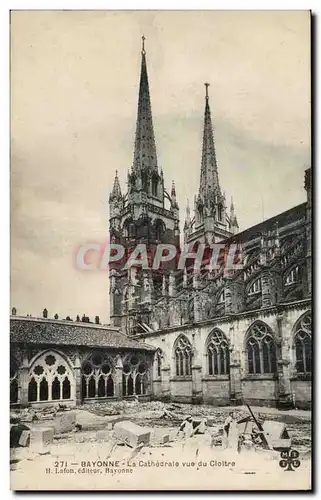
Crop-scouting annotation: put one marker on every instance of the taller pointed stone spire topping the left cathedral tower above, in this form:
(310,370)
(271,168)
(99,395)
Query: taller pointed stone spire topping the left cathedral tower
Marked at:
(145,149)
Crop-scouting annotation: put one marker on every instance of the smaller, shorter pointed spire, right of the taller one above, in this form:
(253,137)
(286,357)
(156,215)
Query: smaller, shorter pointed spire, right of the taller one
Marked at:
(209,182)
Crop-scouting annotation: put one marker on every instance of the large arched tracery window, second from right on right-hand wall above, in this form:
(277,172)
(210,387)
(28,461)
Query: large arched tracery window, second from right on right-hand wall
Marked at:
(260,349)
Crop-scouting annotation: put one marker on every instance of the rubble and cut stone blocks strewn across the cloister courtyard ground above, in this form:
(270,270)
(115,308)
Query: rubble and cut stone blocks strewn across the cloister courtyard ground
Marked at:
(148,427)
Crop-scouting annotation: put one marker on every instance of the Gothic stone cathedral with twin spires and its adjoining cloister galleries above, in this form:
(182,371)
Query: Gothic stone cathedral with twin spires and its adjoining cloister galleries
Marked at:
(208,336)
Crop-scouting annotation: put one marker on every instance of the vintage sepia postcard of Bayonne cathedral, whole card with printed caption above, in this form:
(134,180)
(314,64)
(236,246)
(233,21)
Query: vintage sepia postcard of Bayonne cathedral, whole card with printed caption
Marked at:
(161,219)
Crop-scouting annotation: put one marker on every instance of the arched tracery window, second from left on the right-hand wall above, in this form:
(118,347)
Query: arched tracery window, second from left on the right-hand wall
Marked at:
(218,356)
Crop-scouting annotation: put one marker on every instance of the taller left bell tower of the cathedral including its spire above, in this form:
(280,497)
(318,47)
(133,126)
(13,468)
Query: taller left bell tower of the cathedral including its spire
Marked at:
(146,214)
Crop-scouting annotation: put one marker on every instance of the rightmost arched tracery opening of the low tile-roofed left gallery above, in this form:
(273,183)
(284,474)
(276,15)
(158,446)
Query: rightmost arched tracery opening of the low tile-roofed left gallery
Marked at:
(135,376)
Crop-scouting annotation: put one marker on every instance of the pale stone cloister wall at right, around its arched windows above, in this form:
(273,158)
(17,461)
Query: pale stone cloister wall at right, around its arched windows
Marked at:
(261,389)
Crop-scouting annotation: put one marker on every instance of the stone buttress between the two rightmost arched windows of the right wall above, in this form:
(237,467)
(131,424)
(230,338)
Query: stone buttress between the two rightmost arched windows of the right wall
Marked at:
(284,395)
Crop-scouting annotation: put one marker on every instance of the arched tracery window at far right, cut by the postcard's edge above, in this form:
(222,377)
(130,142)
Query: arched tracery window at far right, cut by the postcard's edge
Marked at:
(303,344)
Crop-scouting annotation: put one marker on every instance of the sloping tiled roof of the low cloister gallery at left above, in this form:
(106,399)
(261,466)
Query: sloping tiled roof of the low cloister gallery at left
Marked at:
(47,331)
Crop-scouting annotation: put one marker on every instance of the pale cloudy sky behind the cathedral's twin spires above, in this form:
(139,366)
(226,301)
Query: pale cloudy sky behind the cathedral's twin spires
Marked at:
(74,90)
